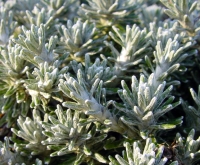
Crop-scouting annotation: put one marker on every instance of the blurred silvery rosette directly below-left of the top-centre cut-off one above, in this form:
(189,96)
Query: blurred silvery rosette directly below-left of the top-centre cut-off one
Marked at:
(77,39)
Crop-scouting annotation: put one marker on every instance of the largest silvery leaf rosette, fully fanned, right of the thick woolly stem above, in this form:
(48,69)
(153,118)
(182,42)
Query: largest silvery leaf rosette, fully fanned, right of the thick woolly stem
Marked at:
(144,105)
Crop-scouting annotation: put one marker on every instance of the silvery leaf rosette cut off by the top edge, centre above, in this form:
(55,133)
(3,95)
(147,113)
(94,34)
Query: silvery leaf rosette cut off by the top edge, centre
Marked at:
(107,13)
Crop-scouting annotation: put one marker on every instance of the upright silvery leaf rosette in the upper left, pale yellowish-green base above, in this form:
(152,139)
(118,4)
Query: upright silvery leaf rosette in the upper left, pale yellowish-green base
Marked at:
(37,47)
